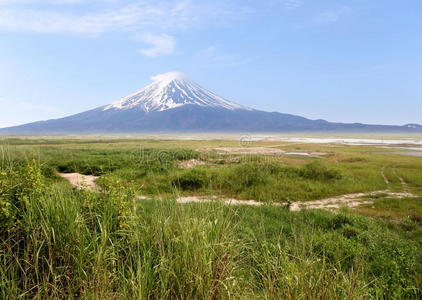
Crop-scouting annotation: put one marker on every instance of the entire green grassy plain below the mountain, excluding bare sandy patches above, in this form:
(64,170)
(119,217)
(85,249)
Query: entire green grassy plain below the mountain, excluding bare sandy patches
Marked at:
(59,242)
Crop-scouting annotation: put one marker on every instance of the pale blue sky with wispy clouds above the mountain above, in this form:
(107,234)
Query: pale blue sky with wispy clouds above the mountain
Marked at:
(349,61)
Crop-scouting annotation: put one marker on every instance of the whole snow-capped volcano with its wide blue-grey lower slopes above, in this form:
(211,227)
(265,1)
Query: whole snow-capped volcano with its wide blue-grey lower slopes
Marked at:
(174,103)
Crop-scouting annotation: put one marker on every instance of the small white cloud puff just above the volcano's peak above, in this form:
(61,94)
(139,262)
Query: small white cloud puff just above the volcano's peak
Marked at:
(161,44)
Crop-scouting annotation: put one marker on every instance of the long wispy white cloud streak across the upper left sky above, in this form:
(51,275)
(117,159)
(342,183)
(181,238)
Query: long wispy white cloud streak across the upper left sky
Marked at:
(130,17)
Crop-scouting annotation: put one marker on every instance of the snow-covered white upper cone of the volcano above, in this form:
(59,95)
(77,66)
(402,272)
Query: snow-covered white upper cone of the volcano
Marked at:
(171,90)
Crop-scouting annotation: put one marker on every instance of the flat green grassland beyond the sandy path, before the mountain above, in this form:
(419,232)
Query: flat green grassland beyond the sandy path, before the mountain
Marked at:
(150,168)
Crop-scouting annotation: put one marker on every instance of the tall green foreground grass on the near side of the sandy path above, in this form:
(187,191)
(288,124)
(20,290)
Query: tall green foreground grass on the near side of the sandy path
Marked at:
(57,242)
